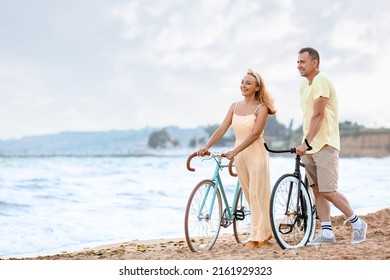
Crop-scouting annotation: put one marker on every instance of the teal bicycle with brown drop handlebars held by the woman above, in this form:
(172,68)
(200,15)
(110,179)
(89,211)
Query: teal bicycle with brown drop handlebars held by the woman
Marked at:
(208,209)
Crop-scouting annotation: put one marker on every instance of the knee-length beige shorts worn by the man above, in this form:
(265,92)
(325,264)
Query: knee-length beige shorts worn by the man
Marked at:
(322,168)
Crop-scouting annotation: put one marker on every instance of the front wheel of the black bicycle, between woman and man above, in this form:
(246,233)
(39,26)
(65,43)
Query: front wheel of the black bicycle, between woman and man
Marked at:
(291,212)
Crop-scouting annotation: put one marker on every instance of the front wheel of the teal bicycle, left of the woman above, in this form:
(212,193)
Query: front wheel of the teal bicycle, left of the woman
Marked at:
(203,217)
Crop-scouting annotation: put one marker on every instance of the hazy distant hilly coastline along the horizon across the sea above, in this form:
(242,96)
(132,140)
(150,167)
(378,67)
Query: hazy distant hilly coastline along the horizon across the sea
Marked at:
(356,141)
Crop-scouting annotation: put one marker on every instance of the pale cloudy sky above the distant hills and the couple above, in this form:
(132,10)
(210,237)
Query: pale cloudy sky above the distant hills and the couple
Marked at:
(94,65)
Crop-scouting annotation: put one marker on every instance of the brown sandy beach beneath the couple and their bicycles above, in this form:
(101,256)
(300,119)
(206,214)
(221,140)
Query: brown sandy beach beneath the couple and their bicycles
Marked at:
(376,247)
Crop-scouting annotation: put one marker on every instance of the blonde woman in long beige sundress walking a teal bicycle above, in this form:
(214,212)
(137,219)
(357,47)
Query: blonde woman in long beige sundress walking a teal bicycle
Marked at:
(248,118)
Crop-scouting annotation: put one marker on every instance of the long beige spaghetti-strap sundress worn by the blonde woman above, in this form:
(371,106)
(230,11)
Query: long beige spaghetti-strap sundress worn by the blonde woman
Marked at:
(252,167)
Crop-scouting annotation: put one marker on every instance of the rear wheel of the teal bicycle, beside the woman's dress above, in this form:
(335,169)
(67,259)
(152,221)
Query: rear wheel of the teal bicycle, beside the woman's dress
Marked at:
(242,220)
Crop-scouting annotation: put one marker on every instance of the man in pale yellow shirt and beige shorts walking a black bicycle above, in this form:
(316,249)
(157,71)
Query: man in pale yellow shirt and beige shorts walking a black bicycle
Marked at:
(321,145)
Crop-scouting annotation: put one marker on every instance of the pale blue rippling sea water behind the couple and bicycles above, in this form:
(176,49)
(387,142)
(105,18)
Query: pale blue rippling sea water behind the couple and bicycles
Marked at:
(51,205)
